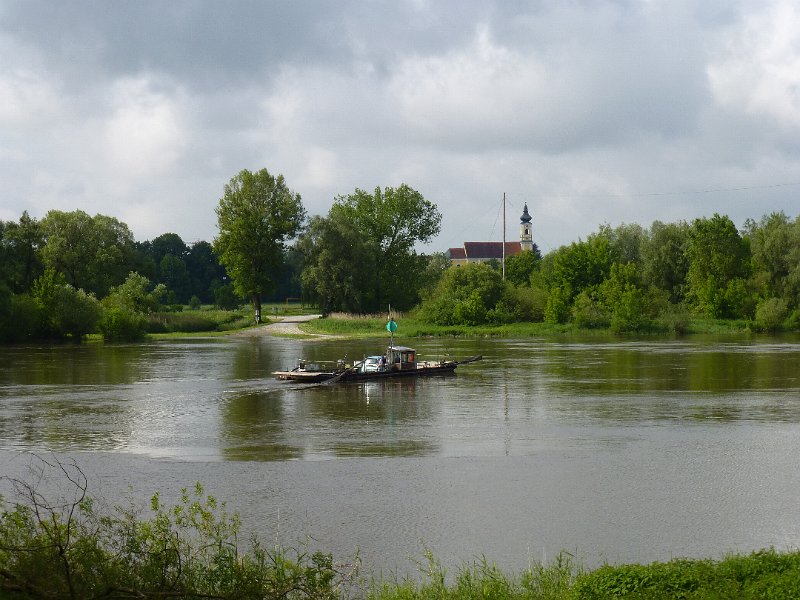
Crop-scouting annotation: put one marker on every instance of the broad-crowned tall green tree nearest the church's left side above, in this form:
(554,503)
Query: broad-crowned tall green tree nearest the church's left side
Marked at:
(362,256)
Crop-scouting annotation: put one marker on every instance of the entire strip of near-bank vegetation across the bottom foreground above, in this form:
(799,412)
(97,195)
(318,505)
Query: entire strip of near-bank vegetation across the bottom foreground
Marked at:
(67,547)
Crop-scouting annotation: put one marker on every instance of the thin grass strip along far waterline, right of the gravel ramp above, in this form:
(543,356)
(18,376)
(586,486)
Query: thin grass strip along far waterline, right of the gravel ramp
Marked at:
(410,326)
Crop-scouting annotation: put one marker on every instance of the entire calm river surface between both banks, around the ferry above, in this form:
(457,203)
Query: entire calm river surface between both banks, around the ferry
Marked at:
(611,450)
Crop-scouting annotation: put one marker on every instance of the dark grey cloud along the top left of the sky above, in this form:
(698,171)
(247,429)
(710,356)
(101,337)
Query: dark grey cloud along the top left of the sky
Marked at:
(209,42)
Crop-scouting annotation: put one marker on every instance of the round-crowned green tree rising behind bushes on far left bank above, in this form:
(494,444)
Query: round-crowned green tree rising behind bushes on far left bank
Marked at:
(93,253)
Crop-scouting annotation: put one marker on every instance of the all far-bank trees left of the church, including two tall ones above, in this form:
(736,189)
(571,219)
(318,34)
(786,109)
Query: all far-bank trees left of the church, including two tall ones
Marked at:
(70,273)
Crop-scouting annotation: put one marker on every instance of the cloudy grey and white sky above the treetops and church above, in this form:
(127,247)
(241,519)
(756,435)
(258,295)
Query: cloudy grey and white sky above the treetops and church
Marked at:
(592,112)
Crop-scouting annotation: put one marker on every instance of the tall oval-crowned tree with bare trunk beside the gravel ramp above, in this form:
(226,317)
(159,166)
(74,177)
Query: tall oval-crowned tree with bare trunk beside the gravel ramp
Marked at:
(256,216)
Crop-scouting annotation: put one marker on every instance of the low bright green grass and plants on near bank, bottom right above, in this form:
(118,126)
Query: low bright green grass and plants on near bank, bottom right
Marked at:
(764,574)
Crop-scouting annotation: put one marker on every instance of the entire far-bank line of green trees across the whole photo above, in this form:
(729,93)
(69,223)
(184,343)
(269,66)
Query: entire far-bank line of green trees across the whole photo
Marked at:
(70,273)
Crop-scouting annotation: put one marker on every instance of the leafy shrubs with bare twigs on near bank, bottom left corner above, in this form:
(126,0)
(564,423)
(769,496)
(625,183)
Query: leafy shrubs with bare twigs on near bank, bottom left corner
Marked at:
(67,549)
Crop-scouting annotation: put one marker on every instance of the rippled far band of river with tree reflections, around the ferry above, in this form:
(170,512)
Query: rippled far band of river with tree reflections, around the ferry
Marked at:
(215,399)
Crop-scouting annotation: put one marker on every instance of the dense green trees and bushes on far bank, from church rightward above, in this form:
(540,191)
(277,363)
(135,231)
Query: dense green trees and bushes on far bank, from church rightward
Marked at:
(630,278)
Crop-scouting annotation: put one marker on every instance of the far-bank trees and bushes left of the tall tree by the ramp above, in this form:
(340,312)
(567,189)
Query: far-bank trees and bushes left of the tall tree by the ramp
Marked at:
(59,276)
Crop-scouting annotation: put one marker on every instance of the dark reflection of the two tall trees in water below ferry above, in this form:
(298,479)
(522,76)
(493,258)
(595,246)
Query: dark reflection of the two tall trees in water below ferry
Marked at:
(321,422)
